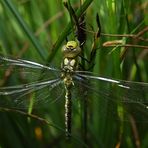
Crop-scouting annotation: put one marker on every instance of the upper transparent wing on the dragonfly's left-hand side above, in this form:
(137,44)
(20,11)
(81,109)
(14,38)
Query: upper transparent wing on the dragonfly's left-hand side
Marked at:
(25,71)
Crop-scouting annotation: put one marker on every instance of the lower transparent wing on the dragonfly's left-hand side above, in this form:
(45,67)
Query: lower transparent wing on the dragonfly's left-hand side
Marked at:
(42,93)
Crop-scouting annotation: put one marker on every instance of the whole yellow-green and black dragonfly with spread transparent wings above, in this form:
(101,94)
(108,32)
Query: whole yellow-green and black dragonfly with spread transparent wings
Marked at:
(70,79)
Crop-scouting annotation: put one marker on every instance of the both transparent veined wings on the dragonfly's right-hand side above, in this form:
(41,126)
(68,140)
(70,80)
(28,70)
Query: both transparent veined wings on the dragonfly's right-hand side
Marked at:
(115,98)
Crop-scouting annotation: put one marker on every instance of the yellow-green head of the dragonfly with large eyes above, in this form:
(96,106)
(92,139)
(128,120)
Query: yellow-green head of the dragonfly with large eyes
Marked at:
(71,49)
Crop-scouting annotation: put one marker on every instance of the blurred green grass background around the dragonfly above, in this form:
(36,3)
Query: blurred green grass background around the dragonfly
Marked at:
(36,30)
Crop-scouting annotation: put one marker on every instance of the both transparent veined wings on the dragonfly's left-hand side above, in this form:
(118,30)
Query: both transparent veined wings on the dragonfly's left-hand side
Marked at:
(25,82)
